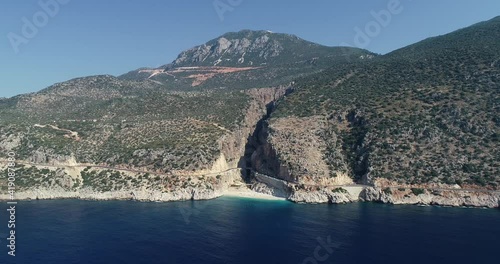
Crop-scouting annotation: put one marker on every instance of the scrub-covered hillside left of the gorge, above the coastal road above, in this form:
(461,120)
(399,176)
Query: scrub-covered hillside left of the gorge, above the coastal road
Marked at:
(146,128)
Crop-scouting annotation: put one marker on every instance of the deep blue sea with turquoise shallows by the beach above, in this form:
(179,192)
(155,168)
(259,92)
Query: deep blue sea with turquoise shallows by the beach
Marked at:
(232,230)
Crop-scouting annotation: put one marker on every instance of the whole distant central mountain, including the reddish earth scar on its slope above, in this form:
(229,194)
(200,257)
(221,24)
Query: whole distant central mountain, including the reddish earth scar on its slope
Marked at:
(247,59)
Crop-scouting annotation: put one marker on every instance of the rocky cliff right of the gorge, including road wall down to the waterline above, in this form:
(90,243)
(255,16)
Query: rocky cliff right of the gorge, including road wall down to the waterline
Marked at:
(288,158)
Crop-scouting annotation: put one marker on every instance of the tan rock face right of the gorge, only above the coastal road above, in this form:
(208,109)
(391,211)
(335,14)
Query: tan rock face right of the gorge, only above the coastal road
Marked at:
(294,149)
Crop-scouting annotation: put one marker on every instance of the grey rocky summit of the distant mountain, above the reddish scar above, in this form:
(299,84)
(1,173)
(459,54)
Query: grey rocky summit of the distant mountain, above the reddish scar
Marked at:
(262,48)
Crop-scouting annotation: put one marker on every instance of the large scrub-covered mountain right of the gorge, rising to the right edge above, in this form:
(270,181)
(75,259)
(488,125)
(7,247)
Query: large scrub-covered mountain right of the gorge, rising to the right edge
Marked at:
(424,115)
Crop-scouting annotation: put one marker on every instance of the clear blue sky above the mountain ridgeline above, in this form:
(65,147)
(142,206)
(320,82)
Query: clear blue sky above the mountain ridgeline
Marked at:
(88,37)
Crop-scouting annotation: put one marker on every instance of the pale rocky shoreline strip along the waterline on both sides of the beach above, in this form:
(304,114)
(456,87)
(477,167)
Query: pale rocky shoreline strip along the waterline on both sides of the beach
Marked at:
(349,194)
